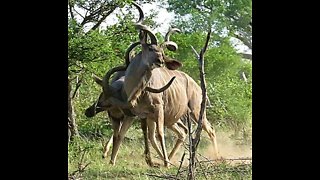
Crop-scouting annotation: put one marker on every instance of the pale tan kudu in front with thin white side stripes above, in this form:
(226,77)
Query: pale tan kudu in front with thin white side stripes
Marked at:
(152,68)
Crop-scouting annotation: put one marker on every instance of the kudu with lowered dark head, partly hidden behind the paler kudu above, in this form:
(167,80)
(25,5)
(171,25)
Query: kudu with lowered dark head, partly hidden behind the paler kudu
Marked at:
(122,118)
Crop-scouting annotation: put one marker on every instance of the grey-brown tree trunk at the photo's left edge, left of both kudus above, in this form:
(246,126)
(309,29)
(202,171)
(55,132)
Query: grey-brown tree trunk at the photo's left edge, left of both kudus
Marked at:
(72,126)
